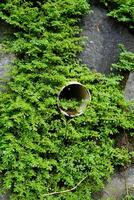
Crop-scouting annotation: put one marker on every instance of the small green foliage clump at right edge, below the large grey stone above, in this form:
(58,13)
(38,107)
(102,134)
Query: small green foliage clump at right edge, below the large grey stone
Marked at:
(126,61)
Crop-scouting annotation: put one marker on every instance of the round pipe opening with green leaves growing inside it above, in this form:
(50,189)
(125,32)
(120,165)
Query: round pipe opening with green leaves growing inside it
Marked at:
(72,99)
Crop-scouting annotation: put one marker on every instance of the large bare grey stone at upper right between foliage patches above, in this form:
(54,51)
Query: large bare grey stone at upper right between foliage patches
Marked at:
(103,35)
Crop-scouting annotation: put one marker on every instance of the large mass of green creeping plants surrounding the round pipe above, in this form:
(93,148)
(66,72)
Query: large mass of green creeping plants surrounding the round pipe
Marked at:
(41,151)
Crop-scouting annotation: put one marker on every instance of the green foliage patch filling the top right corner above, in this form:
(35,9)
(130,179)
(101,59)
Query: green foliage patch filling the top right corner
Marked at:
(122,10)
